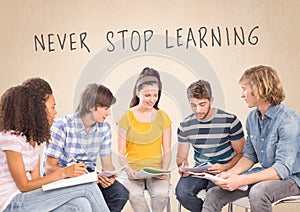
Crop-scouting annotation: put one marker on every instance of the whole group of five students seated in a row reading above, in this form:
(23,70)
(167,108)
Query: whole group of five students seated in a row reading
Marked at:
(73,143)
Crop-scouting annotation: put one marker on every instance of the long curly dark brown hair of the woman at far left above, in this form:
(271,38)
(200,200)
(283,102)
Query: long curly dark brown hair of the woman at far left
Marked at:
(24,112)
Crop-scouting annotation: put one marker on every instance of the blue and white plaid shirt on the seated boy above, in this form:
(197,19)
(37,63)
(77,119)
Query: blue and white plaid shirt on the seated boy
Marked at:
(70,139)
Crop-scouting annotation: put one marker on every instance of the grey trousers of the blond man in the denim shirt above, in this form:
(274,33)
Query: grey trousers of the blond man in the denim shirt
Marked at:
(261,195)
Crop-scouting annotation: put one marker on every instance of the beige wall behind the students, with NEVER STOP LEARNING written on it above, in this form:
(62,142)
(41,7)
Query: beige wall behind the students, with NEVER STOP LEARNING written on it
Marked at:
(69,70)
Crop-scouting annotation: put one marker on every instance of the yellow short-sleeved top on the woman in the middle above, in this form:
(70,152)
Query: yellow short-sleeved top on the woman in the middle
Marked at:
(144,139)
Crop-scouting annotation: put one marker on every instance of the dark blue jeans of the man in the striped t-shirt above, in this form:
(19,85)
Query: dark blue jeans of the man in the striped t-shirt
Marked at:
(187,189)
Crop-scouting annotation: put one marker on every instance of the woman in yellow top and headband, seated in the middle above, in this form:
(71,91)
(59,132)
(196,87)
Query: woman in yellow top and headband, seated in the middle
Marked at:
(144,140)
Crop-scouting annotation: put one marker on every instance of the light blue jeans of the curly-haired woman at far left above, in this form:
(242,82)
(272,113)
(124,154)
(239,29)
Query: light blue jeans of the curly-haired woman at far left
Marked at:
(83,198)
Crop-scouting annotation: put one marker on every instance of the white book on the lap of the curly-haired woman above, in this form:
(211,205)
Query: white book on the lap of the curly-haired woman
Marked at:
(82,179)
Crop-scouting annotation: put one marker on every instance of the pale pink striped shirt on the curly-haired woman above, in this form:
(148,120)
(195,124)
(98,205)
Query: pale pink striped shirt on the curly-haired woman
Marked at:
(30,156)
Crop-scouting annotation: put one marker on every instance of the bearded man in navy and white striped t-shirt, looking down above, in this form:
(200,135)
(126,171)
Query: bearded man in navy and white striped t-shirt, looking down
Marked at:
(216,136)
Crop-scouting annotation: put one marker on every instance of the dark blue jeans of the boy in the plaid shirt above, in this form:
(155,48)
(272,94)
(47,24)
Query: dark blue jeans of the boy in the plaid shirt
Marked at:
(115,196)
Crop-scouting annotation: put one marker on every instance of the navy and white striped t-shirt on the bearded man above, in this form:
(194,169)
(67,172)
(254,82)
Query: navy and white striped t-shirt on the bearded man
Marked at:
(211,139)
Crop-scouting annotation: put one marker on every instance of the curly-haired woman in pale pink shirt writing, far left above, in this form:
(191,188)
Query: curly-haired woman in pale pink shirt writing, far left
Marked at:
(26,114)
